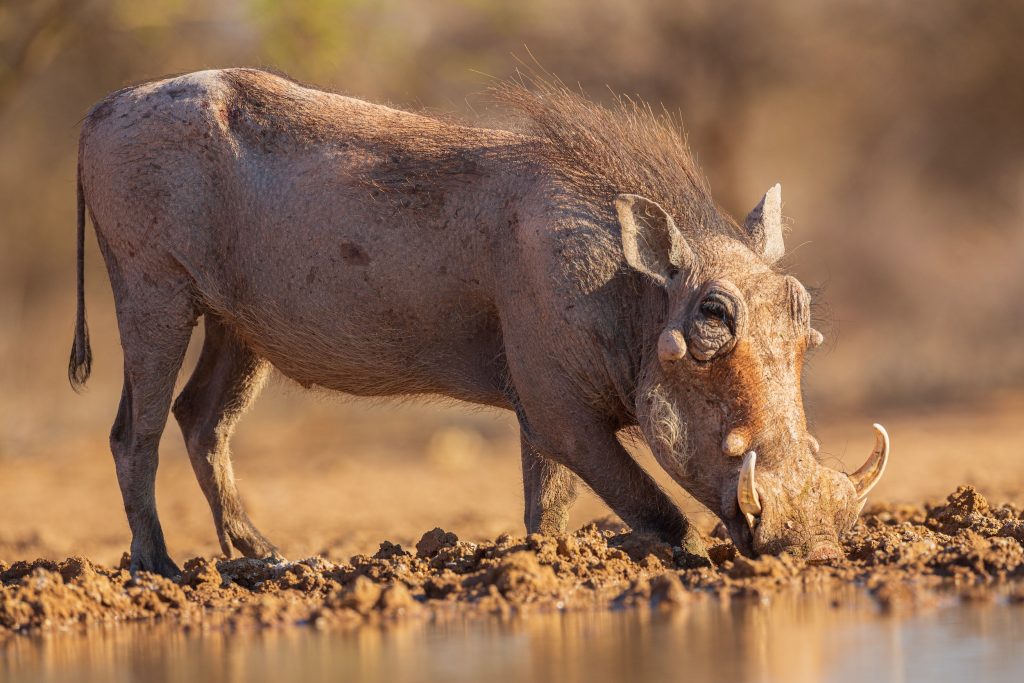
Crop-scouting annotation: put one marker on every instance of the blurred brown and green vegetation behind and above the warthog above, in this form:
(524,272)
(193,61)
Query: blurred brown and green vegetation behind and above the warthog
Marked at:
(894,127)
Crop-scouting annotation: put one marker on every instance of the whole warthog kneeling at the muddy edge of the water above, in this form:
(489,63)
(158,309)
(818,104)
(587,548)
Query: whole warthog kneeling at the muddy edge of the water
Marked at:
(578,274)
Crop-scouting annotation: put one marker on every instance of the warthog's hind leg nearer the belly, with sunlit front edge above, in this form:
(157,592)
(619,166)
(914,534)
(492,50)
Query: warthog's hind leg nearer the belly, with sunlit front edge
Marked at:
(227,380)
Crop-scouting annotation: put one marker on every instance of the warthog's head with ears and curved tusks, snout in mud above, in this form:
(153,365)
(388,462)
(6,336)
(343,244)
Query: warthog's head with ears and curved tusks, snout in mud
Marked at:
(720,397)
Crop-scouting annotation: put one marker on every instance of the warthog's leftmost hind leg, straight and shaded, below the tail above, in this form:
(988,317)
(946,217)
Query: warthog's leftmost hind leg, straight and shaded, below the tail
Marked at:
(156,323)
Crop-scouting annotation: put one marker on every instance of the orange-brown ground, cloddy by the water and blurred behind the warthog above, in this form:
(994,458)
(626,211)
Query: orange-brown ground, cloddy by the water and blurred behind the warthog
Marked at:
(332,482)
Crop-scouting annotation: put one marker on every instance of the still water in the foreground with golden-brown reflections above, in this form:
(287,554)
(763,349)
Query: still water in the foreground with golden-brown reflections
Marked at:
(792,638)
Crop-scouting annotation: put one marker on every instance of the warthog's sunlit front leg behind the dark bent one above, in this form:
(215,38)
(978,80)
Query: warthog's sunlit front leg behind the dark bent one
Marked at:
(550,489)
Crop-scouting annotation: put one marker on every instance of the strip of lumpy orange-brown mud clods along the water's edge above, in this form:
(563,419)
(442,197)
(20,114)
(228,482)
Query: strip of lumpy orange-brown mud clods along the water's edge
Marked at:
(905,556)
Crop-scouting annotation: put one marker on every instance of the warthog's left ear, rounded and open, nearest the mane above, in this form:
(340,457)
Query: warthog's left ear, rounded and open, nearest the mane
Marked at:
(652,242)
